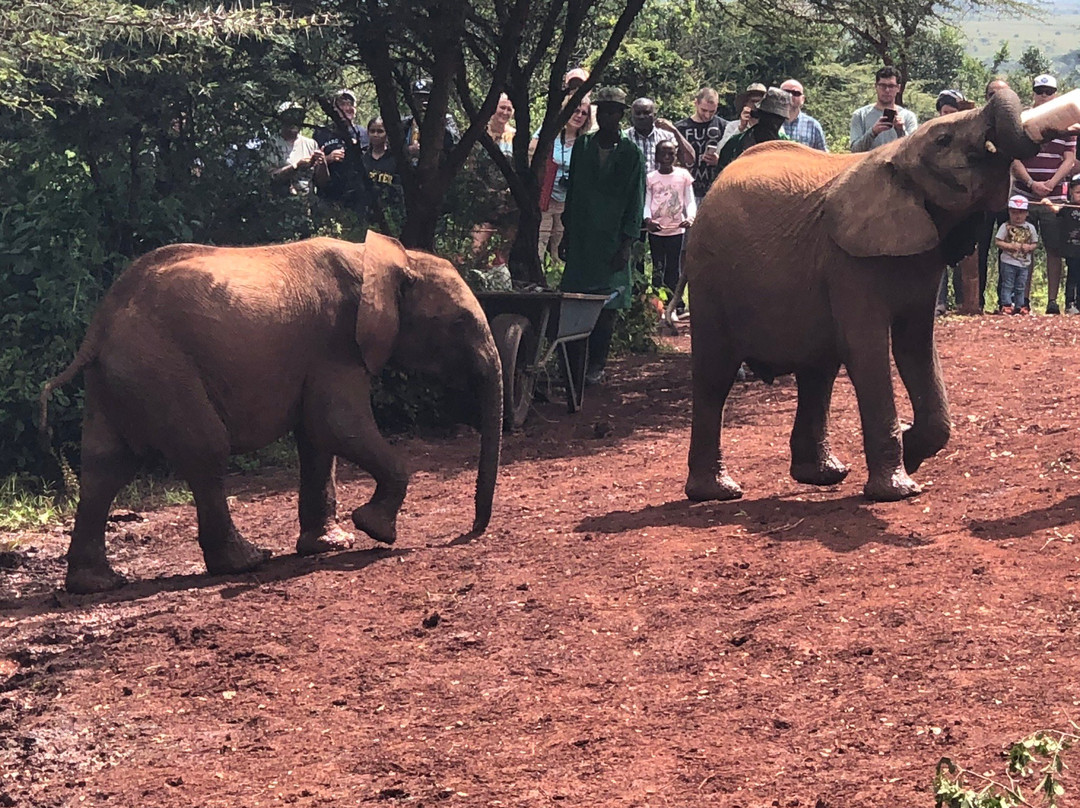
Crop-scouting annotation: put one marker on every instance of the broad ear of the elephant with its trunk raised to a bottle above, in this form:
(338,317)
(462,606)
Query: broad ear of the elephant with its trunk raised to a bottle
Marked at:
(872,211)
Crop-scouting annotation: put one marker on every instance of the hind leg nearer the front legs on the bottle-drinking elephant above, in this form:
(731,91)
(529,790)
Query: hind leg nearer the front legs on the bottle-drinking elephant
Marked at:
(813,460)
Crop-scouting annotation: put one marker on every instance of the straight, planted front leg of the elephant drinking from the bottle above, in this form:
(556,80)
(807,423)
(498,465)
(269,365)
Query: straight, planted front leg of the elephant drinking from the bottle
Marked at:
(871,373)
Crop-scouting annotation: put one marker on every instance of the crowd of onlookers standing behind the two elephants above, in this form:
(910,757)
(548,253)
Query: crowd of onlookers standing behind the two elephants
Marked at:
(607,185)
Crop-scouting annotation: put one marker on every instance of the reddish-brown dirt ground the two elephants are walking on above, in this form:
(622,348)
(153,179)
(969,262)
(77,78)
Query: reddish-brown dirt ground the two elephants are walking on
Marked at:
(606,643)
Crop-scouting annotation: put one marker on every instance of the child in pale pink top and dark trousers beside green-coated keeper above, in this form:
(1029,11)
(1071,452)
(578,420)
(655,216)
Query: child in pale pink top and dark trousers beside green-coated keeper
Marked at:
(670,209)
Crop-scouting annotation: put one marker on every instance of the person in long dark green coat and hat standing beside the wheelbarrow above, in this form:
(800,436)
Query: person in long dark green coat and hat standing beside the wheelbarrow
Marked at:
(605,201)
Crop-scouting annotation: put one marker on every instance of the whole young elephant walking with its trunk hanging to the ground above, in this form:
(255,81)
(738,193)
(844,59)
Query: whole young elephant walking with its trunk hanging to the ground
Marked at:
(200,353)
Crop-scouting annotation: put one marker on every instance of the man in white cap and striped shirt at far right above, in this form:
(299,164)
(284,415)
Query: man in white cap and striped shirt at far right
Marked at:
(1042,179)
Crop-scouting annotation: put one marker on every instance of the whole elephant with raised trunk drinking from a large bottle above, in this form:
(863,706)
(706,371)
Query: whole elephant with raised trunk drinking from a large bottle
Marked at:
(802,262)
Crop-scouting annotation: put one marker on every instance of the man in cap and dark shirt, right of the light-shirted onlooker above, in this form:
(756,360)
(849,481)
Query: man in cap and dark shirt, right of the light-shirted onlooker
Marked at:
(339,172)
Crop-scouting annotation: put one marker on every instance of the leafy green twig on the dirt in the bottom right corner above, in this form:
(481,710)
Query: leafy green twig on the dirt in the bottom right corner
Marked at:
(1039,756)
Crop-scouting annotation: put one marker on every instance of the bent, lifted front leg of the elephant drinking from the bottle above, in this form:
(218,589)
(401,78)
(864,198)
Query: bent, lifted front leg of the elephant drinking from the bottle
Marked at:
(916,355)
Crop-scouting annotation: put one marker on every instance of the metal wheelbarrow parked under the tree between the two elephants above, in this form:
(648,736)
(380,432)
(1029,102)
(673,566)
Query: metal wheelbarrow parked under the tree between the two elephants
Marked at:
(531,328)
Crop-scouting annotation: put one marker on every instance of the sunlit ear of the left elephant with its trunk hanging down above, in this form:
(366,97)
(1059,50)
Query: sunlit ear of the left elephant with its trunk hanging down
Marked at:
(379,312)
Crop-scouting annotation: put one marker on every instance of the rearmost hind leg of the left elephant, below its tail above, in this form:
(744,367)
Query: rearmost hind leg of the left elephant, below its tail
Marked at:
(107,466)
